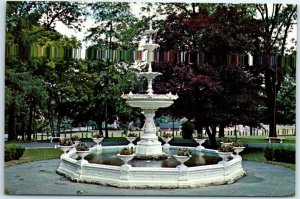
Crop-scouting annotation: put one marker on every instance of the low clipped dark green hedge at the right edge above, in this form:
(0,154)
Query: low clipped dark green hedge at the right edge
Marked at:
(280,154)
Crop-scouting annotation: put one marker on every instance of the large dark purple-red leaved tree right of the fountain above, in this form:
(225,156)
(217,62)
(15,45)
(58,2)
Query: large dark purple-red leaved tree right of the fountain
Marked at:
(219,94)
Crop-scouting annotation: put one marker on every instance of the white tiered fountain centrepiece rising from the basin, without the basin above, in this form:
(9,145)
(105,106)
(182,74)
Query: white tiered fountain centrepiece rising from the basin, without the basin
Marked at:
(149,146)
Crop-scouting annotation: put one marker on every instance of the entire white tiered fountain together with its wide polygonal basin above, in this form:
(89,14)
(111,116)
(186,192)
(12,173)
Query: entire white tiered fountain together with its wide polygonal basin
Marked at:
(139,169)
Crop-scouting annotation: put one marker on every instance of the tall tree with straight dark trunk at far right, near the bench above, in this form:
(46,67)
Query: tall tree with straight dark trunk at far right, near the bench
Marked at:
(276,24)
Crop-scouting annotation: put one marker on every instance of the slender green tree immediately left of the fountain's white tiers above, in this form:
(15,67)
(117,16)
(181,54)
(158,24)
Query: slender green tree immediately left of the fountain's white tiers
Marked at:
(115,28)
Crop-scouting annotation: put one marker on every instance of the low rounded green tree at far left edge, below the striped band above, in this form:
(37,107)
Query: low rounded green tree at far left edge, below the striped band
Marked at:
(23,87)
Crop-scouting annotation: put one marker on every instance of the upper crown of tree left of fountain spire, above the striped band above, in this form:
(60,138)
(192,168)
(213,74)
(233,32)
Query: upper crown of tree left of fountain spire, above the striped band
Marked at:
(115,23)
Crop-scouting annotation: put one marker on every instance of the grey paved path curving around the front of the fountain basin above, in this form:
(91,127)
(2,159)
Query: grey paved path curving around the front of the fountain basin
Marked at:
(40,178)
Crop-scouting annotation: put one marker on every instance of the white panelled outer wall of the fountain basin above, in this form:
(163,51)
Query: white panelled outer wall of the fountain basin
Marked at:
(149,177)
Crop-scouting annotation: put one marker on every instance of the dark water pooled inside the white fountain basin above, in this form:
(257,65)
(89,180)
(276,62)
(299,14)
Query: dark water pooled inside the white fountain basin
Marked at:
(197,159)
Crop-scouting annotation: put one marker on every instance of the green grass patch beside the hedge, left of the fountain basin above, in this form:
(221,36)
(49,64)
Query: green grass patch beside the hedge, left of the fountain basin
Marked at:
(35,155)
